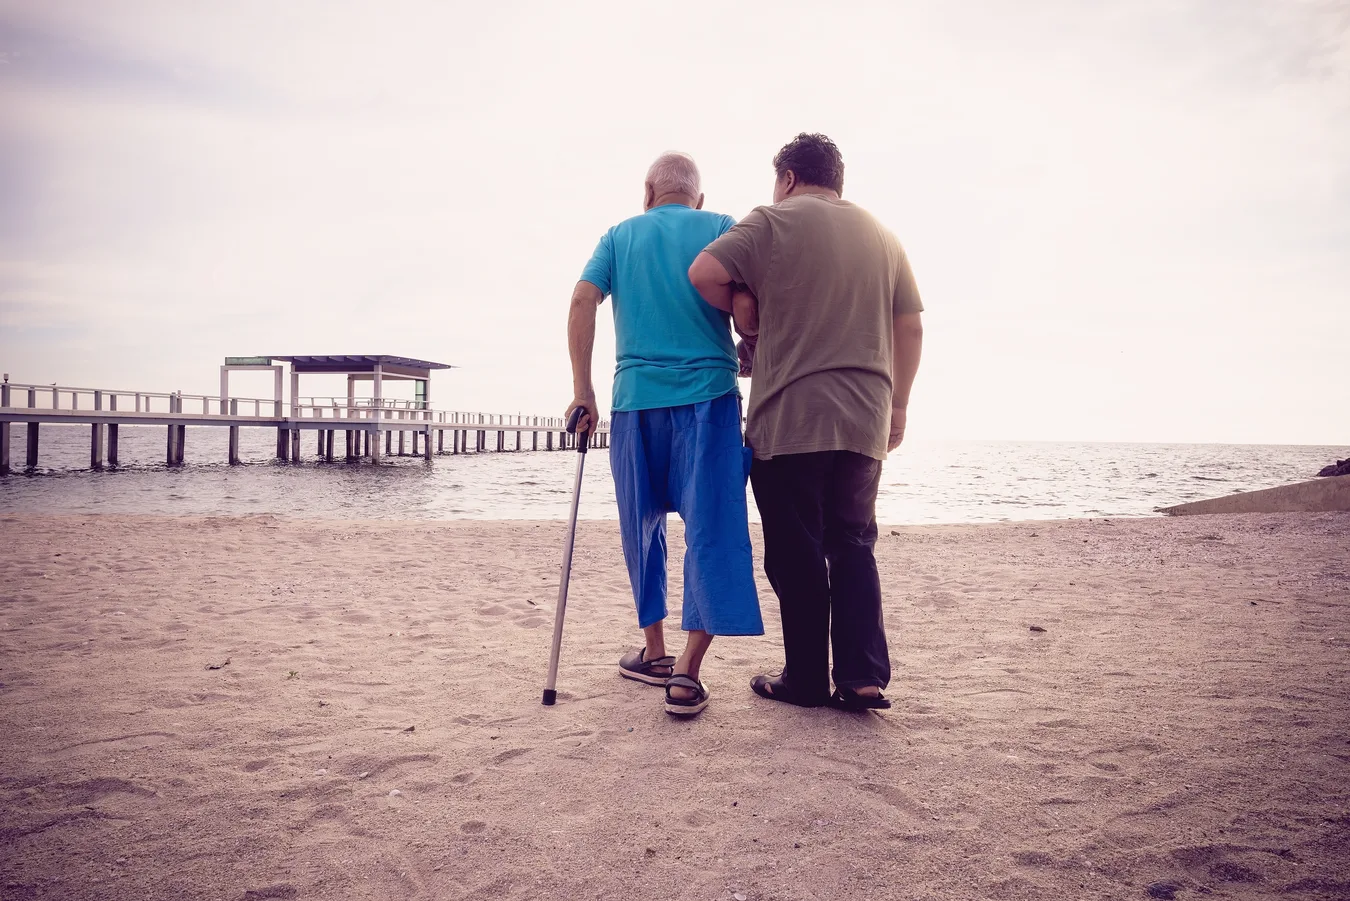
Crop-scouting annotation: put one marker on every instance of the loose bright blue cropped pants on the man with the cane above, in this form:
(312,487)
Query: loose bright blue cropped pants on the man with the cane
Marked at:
(689,461)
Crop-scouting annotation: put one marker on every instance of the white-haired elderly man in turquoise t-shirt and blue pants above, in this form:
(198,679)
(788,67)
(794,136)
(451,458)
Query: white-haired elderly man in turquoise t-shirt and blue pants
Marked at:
(676,428)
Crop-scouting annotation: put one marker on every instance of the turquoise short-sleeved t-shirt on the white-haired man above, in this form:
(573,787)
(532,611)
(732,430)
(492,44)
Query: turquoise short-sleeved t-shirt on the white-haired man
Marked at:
(673,348)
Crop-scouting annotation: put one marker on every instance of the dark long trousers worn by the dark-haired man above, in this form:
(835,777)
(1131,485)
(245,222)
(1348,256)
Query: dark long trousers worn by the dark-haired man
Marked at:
(820,533)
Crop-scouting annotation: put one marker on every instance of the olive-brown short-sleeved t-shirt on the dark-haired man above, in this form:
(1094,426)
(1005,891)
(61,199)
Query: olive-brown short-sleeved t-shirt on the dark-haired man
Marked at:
(831,282)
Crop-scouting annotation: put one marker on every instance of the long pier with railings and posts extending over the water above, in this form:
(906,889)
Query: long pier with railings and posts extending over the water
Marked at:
(368,426)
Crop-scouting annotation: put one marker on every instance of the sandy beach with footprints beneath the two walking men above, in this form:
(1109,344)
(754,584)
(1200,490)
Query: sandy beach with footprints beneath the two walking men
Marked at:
(264,709)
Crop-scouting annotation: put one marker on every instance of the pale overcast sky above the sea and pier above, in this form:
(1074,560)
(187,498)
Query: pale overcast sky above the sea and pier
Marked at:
(1129,221)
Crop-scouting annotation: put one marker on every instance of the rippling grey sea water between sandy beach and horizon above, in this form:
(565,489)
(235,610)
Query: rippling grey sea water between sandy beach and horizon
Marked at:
(924,483)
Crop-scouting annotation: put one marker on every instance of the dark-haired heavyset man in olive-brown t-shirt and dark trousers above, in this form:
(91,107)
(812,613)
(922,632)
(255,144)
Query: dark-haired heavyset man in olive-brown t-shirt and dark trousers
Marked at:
(838,351)
